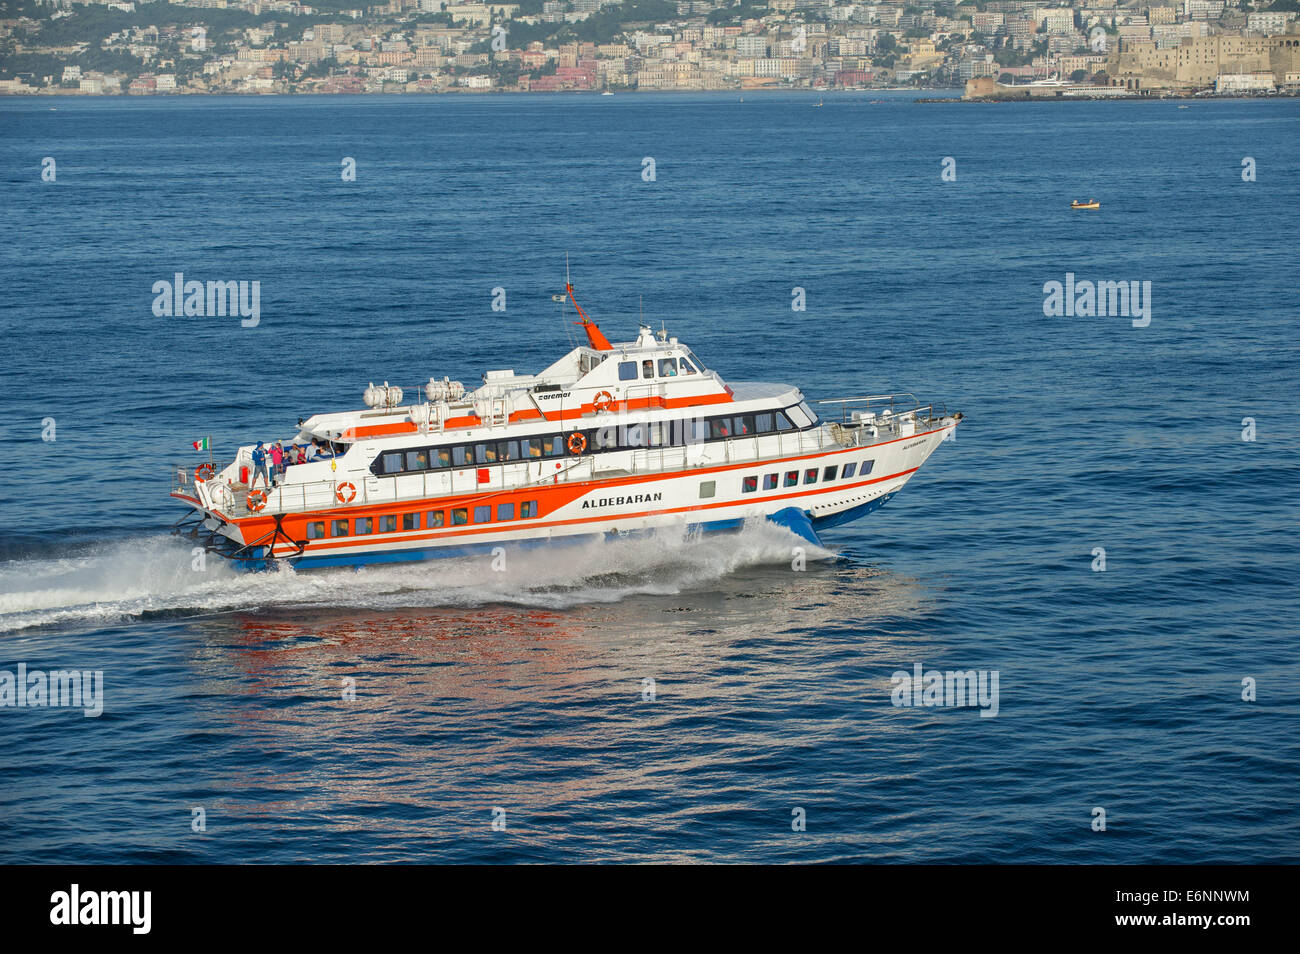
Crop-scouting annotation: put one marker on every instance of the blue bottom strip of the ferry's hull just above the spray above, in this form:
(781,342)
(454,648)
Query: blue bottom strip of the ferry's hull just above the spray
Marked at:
(792,518)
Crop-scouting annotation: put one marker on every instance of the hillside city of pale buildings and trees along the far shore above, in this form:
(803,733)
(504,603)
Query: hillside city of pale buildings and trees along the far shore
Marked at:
(138,47)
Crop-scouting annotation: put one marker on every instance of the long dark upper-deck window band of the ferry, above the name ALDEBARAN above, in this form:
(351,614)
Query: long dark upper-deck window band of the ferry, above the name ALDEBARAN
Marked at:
(613,439)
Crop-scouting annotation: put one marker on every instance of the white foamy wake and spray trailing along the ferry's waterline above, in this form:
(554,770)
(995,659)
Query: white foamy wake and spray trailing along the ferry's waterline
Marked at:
(127,580)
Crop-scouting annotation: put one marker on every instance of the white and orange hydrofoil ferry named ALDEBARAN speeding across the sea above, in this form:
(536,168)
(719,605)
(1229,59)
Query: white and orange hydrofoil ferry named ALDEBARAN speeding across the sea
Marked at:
(613,439)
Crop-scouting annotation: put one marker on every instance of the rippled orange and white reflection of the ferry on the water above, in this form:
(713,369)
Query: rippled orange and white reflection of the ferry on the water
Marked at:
(460,710)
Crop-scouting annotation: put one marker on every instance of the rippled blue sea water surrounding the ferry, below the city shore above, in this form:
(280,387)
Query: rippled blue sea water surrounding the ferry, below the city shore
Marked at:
(523,692)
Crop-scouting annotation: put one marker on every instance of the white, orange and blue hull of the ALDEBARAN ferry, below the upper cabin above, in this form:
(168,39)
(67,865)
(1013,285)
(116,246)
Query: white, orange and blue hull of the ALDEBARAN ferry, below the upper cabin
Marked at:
(480,510)
